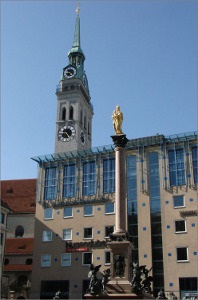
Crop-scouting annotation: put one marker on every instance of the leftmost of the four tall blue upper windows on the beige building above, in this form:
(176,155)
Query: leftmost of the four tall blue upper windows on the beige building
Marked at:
(50,184)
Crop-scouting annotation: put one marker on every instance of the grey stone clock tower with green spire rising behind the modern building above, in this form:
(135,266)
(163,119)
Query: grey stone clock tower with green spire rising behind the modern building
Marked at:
(74,108)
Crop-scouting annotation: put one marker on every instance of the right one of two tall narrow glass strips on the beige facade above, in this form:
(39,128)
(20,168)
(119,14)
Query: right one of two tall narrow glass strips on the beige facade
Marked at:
(156,231)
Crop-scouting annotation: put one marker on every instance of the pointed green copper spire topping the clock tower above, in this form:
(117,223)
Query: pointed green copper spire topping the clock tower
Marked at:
(76,49)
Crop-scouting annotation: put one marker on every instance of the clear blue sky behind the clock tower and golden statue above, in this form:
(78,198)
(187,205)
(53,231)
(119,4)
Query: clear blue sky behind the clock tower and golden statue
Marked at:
(141,55)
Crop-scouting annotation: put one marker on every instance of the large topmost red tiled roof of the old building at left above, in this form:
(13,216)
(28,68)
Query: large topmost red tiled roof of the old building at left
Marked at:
(19,195)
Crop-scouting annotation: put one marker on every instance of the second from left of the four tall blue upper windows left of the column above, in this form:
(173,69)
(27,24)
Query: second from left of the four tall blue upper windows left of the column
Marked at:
(69,181)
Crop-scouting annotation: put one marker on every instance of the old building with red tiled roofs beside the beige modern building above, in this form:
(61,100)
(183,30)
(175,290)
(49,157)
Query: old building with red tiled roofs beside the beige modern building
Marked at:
(19,196)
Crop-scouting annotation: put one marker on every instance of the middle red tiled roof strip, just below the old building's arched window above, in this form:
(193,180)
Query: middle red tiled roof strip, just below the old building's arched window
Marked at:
(19,246)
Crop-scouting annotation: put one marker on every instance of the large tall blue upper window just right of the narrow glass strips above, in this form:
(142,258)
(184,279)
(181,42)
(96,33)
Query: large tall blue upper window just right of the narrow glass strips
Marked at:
(176,167)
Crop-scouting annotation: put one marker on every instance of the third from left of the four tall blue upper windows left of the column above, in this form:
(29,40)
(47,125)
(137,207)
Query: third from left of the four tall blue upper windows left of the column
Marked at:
(89,178)
